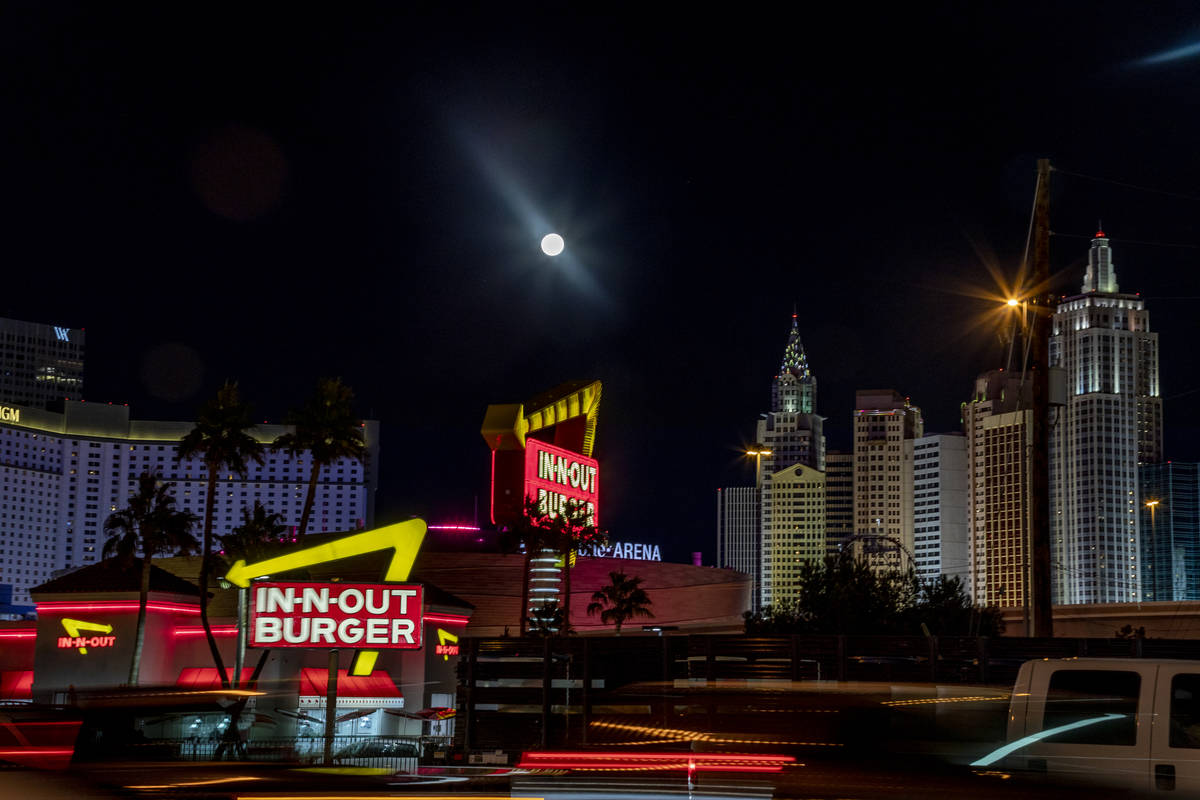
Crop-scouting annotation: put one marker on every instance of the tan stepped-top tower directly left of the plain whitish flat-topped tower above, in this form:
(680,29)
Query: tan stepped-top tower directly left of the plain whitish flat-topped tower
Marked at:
(885,426)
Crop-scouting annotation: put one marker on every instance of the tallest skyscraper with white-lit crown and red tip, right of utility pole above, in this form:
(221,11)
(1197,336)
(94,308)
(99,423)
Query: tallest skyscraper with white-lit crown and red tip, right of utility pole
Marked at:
(1112,423)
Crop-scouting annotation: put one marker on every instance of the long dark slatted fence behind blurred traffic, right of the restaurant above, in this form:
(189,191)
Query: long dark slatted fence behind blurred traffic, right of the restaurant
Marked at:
(520,694)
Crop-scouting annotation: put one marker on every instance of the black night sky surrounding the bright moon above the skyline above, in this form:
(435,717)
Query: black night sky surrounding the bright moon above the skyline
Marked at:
(279,195)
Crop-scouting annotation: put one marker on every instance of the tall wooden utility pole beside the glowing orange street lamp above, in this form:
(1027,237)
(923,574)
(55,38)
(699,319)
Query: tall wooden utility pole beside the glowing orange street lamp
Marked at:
(1040,357)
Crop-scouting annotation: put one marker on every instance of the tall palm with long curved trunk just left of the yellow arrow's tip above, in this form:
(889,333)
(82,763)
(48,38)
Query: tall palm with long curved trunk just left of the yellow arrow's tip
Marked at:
(220,440)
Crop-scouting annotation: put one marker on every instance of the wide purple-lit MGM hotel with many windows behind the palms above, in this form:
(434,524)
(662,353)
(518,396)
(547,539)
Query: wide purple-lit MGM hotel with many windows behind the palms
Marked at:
(62,474)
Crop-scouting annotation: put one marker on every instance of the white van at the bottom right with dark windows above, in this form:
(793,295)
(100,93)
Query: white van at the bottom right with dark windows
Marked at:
(1131,724)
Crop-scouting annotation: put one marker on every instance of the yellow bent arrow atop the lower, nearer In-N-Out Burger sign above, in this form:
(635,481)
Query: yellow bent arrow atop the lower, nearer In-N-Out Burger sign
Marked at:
(405,538)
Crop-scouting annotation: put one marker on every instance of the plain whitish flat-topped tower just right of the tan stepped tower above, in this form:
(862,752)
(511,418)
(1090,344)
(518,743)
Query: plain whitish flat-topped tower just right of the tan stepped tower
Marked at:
(939,506)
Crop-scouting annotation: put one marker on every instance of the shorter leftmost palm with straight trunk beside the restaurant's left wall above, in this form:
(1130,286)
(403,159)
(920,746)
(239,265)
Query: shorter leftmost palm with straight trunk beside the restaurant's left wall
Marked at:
(152,525)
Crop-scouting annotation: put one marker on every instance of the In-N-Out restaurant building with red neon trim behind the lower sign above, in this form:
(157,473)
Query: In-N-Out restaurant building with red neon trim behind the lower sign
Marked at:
(82,642)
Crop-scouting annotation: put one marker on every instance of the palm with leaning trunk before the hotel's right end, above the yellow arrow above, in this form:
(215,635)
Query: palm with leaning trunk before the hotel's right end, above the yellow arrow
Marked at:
(326,426)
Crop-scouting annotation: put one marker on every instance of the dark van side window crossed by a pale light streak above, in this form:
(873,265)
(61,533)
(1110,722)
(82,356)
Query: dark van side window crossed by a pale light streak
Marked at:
(1101,703)
